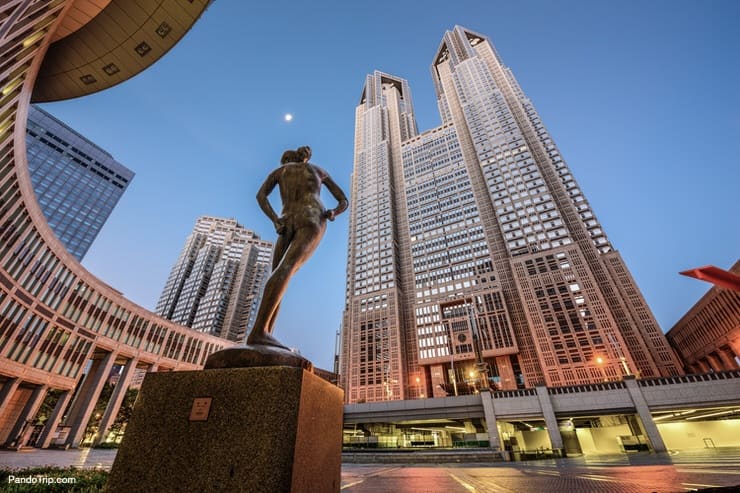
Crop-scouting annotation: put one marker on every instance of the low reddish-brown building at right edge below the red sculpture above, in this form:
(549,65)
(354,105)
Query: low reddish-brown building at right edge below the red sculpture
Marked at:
(707,338)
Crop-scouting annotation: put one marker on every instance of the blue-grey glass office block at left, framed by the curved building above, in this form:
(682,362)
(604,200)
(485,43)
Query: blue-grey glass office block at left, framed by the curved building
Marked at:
(77,183)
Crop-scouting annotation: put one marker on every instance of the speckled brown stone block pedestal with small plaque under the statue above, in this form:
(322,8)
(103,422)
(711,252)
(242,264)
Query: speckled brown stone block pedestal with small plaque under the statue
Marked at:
(269,429)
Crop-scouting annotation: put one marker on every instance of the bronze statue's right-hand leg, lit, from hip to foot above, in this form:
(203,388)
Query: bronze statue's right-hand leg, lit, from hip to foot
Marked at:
(303,244)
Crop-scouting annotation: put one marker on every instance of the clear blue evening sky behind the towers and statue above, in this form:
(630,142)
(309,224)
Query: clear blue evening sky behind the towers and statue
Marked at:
(641,97)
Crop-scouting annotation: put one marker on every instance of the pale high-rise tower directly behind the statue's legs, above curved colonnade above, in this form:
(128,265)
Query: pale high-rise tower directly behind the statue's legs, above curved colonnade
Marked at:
(217,281)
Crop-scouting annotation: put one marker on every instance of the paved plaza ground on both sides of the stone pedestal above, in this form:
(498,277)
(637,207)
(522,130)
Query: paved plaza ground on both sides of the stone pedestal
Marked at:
(635,473)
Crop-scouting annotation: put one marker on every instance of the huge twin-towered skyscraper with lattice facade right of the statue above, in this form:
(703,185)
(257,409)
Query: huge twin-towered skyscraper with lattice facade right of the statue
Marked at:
(472,249)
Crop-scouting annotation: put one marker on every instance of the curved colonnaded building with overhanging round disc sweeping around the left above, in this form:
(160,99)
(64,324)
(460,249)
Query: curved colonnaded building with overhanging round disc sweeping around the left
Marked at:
(56,318)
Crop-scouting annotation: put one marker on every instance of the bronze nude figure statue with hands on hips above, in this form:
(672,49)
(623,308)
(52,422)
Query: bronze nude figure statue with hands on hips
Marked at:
(300,228)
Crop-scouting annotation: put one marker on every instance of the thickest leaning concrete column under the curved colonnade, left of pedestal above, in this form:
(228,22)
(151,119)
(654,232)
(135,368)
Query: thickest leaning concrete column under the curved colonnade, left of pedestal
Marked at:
(86,398)
